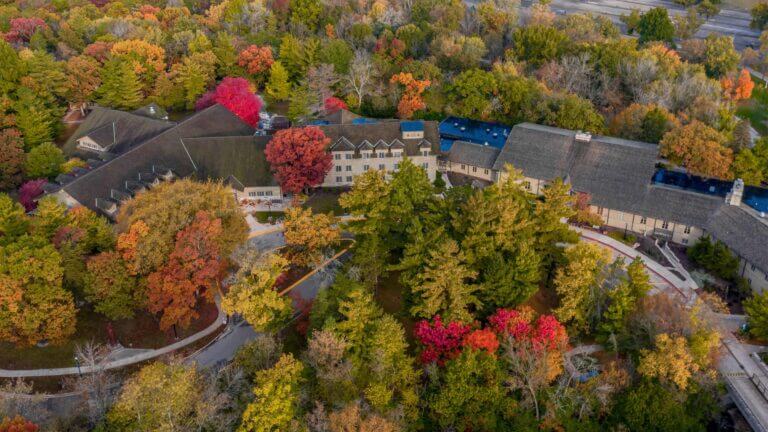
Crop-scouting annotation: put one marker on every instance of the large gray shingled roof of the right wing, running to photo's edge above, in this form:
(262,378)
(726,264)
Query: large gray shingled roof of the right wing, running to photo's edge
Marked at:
(618,174)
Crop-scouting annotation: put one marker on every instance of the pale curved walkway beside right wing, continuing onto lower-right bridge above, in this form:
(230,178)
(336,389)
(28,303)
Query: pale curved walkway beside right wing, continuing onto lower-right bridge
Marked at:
(745,377)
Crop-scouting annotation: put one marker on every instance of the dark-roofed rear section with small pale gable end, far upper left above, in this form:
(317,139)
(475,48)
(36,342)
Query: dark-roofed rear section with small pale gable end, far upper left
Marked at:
(130,130)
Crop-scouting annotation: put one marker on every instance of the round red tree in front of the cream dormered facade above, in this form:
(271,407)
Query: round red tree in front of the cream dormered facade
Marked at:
(299,157)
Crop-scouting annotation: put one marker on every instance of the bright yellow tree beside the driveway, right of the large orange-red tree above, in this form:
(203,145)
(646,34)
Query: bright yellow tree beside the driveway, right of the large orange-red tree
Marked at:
(253,295)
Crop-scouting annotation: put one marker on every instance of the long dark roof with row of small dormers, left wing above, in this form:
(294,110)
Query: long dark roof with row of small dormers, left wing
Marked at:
(165,149)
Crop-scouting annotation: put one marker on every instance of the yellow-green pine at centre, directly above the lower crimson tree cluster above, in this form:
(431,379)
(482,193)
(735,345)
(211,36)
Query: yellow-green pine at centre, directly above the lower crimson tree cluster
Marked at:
(443,287)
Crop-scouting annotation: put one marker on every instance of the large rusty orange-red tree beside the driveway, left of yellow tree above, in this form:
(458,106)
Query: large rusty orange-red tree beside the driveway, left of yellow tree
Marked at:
(193,272)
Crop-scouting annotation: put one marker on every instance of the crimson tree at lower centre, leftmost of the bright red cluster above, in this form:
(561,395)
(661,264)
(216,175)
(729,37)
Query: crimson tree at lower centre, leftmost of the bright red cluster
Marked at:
(440,342)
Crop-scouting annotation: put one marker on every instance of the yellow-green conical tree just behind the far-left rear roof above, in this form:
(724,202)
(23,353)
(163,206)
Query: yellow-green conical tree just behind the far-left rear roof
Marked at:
(120,86)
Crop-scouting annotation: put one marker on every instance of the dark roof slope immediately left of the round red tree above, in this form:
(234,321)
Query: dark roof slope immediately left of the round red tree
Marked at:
(239,158)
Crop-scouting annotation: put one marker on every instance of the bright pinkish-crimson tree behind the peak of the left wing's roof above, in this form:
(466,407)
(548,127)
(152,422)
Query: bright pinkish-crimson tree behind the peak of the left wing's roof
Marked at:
(236,95)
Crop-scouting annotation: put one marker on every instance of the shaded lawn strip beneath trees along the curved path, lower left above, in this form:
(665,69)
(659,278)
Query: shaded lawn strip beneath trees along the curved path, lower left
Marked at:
(140,332)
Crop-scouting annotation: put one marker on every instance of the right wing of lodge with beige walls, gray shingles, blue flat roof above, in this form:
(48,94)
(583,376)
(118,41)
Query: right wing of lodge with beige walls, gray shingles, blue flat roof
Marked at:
(629,189)
